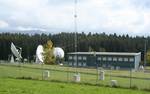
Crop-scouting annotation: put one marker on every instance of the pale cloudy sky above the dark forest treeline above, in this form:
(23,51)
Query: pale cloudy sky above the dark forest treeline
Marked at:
(53,16)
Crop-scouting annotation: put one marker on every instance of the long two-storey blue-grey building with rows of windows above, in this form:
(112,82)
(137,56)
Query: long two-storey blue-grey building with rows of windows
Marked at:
(114,60)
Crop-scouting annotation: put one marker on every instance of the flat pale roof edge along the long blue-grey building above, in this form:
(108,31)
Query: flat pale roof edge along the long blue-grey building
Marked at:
(106,53)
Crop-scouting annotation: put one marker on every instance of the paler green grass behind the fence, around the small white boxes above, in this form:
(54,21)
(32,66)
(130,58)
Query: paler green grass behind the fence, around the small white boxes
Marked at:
(65,74)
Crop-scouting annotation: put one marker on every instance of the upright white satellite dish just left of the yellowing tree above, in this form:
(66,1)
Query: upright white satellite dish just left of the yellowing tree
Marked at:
(39,54)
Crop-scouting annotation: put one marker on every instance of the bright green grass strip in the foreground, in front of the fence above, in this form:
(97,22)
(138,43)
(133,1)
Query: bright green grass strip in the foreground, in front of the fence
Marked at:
(18,86)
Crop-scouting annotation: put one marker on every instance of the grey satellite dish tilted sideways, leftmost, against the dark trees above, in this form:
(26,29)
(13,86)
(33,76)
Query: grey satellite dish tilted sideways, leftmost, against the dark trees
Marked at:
(15,51)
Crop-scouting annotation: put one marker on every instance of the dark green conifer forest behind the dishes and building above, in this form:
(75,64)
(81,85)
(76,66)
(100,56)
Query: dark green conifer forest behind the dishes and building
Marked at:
(85,42)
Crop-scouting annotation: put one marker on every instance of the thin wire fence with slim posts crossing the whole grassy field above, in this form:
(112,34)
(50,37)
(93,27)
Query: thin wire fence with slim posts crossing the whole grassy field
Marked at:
(118,78)
